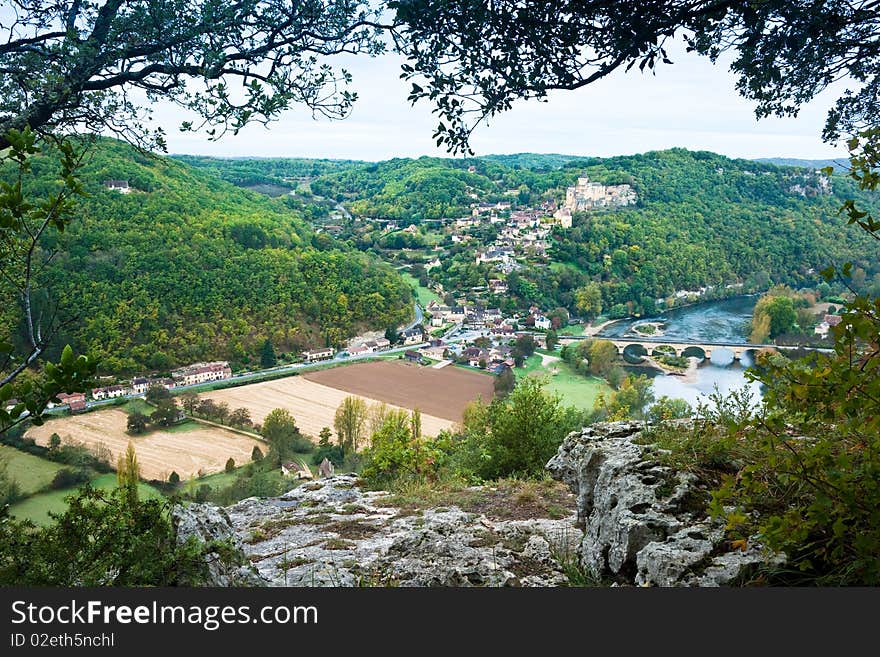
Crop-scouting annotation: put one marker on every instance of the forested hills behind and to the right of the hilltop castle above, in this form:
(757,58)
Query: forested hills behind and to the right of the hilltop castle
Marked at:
(701,219)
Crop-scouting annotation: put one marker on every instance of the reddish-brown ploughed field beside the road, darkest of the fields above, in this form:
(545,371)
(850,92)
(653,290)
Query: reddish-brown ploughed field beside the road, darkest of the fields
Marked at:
(440,392)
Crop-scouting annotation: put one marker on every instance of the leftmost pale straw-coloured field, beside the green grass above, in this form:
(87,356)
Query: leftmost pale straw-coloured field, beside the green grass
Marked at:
(159,452)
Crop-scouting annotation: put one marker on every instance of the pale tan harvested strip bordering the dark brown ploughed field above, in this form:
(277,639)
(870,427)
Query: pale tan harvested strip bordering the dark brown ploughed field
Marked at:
(314,405)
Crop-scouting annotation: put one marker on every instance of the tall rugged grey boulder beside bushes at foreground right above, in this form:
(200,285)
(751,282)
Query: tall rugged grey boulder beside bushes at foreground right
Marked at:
(643,522)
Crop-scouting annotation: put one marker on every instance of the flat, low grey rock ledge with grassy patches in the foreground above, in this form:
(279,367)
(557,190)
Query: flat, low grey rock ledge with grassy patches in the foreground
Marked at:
(333,533)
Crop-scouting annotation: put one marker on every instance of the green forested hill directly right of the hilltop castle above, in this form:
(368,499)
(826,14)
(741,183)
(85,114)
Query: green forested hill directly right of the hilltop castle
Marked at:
(703,219)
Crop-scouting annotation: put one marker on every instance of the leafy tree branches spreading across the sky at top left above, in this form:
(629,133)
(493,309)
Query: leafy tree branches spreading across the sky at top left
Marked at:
(75,64)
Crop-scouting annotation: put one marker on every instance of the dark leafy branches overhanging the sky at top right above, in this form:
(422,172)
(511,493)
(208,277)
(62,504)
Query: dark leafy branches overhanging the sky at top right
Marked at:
(473,59)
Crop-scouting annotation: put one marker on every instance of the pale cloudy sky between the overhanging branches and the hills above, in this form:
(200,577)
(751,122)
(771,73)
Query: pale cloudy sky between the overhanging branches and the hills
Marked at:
(692,104)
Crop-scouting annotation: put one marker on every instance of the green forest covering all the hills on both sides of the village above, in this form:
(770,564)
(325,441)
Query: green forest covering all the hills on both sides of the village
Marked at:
(190,266)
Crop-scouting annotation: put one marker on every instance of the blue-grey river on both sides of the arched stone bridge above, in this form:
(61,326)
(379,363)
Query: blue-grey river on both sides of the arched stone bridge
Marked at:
(714,321)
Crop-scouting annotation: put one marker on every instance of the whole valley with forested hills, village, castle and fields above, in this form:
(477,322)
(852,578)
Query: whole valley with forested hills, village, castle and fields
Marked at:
(501,257)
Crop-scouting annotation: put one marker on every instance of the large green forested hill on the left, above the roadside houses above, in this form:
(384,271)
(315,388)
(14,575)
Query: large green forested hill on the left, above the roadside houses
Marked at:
(188,267)
